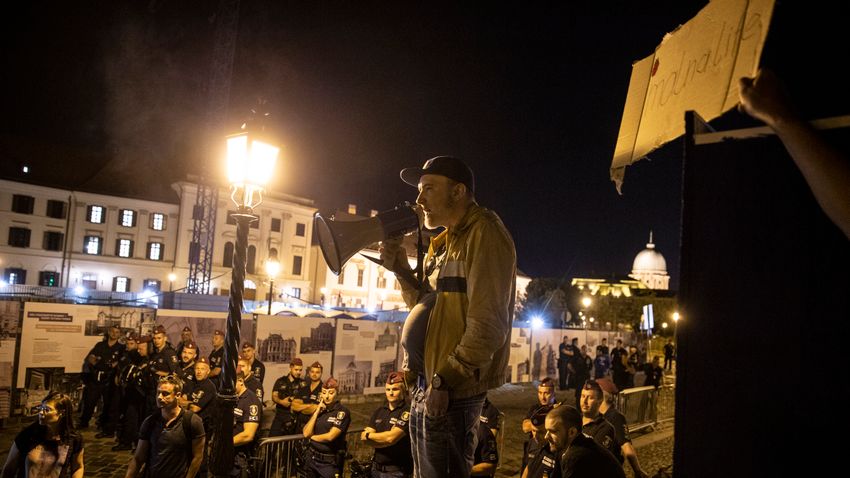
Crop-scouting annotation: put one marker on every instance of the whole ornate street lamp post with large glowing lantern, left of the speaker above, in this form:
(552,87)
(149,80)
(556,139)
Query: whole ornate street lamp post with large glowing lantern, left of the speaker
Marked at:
(250,163)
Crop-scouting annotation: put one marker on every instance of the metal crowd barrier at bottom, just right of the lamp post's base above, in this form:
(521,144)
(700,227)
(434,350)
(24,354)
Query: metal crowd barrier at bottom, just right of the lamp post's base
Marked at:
(282,457)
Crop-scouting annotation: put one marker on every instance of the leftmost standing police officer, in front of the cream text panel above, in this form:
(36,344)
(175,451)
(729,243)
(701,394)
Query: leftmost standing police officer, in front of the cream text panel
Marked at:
(100,366)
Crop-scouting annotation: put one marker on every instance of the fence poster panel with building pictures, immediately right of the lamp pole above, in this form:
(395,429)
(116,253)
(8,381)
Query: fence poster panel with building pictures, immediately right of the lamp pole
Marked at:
(282,338)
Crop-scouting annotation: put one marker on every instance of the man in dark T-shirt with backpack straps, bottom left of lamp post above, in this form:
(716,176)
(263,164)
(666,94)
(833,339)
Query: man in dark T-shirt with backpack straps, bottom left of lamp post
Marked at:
(171,441)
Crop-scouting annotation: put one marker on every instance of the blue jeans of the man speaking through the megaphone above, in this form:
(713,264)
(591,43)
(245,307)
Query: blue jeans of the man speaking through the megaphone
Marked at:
(444,446)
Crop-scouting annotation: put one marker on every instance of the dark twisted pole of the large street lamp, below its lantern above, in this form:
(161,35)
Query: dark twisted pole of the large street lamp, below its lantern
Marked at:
(221,450)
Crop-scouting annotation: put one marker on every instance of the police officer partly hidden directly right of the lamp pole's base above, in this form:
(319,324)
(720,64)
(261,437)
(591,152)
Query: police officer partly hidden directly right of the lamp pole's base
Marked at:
(246,423)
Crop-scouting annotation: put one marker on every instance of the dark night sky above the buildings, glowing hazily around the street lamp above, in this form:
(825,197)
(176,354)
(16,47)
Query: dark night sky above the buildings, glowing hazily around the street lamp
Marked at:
(113,97)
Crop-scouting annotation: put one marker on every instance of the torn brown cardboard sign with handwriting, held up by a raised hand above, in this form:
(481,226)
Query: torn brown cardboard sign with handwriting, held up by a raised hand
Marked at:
(696,68)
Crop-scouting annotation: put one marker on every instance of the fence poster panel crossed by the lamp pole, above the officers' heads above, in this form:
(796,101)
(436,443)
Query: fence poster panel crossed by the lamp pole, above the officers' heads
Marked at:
(202,324)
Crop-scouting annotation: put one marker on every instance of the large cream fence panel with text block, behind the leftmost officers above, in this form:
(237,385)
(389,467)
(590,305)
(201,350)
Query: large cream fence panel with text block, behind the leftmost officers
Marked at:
(55,338)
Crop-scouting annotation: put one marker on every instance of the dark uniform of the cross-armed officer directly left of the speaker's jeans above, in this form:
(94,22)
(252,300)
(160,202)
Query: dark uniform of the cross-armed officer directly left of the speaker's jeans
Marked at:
(394,460)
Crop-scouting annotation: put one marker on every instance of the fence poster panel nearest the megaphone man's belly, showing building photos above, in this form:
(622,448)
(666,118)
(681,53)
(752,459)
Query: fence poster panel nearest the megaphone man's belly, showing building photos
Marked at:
(365,355)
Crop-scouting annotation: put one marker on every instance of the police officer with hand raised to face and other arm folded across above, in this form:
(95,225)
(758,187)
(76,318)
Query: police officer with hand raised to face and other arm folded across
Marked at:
(325,432)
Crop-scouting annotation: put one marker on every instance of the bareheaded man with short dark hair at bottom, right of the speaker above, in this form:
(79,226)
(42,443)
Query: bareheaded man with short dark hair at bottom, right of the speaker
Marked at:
(579,455)
